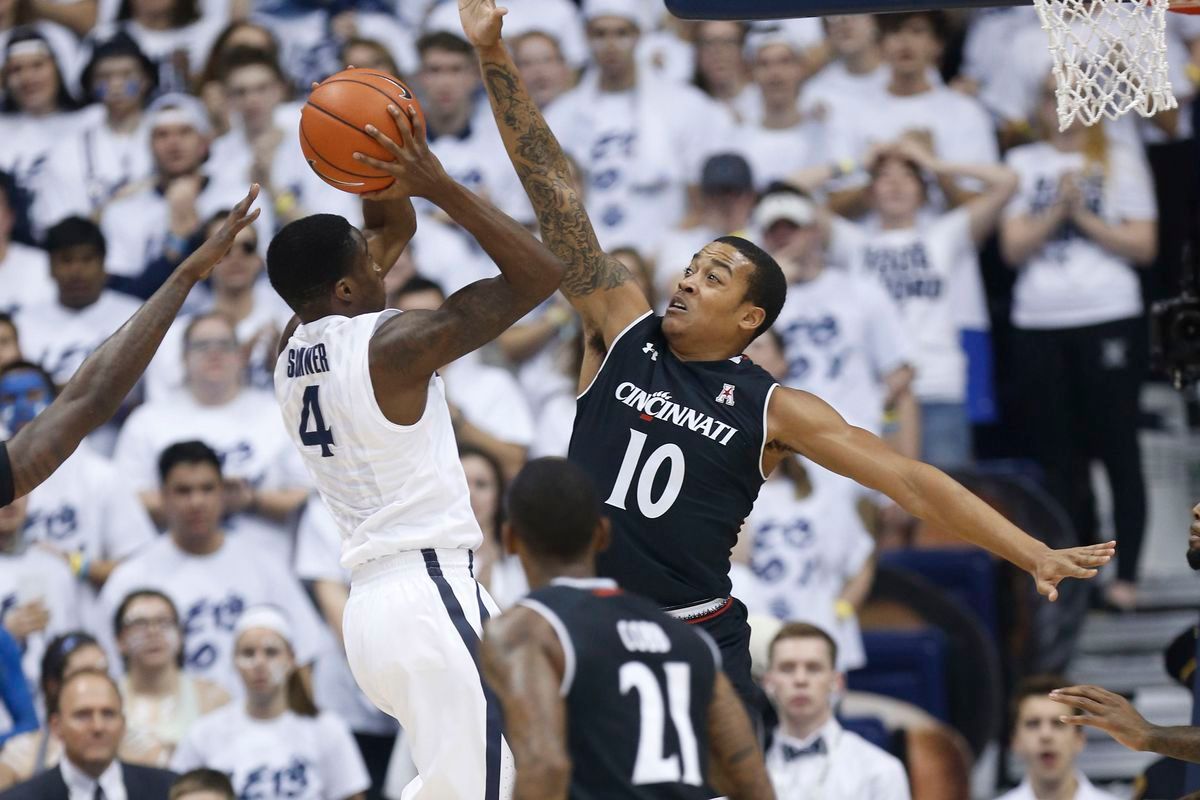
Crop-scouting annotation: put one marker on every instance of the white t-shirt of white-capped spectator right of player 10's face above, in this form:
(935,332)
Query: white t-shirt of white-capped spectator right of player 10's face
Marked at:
(842,336)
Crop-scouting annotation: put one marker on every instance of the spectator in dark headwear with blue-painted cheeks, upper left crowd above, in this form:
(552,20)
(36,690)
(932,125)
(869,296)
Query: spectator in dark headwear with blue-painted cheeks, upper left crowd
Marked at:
(104,154)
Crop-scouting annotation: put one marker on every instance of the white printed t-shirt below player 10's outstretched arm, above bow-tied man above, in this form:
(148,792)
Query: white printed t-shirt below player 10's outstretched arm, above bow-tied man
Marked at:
(805,552)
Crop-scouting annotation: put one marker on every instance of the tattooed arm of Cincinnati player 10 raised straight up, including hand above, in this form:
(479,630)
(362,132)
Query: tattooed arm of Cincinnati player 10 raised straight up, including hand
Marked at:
(599,286)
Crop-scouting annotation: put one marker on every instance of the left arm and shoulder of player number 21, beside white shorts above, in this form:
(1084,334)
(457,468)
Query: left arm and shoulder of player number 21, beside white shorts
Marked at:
(524,664)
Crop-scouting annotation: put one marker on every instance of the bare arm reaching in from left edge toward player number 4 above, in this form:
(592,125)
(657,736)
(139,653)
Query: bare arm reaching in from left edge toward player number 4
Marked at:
(98,389)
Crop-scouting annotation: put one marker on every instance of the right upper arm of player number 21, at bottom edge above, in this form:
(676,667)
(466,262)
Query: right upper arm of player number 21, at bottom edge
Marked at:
(737,768)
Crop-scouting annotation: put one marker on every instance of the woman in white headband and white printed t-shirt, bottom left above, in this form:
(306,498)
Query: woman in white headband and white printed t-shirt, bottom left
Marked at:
(277,744)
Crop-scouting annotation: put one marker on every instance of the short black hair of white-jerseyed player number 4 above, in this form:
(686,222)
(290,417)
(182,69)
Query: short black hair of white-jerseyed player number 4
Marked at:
(309,256)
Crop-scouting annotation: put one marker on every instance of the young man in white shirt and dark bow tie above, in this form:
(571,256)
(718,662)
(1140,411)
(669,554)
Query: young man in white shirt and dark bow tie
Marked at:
(812,754)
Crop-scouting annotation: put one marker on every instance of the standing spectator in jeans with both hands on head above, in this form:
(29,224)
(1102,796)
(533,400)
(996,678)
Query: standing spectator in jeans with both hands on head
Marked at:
(929,268)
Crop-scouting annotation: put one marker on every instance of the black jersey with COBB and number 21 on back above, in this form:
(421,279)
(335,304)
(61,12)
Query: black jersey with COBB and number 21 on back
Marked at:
(638,687)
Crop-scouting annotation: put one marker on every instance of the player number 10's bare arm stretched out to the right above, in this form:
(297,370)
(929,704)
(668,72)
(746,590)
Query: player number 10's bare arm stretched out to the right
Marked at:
(805,424)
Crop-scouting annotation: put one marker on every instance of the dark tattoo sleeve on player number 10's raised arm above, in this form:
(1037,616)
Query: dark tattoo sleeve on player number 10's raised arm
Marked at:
(547,176)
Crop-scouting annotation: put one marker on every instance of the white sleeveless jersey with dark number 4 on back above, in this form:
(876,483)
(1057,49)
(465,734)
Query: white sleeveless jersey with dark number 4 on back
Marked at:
(391,488)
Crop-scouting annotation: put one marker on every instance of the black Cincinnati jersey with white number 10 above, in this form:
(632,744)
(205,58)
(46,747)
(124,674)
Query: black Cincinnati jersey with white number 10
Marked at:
(676,449)
